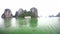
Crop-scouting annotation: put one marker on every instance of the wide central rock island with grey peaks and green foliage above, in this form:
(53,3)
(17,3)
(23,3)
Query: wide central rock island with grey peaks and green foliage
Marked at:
(22,13)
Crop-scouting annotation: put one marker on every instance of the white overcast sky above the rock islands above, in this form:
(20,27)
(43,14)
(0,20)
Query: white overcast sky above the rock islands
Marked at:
(45,7)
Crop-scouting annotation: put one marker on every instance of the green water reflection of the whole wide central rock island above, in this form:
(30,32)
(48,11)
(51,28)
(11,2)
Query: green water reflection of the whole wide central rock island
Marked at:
(27,22)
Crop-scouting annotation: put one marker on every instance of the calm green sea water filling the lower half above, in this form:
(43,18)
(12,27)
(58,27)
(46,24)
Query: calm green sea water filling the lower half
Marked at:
(30,26)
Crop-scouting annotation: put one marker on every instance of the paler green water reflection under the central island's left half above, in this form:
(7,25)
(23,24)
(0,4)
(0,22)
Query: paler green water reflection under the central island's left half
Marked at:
(22,22)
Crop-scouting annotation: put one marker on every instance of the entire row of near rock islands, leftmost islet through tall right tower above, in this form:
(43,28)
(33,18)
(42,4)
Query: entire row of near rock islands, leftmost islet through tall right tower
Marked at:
(20,13)
